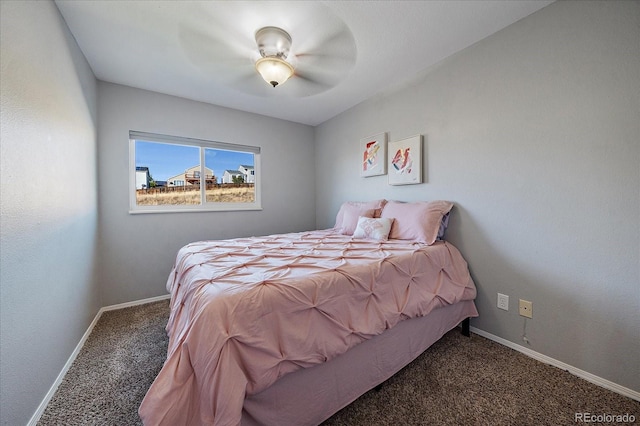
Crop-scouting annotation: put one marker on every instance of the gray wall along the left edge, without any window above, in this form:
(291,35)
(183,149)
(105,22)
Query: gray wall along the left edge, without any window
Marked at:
(48,293)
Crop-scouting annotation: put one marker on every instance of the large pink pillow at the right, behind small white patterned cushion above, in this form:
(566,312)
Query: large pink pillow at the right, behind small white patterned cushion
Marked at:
(419,221)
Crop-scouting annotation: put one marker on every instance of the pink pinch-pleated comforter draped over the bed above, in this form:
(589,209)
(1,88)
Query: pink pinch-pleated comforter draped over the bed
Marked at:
(244,312)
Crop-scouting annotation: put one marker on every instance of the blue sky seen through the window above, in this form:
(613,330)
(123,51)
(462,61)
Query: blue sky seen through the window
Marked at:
(167,160)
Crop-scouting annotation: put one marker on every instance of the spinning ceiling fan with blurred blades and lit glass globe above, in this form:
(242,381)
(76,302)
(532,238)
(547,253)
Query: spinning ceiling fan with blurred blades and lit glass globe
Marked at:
(307,46)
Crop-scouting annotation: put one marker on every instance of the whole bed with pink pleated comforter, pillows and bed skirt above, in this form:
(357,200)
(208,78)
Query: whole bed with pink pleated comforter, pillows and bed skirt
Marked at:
(256,323)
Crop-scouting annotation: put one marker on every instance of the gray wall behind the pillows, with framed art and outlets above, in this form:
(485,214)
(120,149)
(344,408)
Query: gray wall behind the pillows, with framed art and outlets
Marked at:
(534,134)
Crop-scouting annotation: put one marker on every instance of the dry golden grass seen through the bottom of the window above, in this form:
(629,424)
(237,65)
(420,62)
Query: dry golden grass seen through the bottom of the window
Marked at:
(218,195)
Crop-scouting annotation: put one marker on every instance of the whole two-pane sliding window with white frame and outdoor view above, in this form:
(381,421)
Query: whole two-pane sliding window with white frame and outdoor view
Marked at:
(170,174)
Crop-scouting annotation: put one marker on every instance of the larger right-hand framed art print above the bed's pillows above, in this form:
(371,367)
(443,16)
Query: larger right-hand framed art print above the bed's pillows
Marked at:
(405,161)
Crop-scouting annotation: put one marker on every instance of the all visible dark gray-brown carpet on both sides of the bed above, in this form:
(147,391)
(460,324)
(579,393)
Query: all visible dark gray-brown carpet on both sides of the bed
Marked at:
(458,381)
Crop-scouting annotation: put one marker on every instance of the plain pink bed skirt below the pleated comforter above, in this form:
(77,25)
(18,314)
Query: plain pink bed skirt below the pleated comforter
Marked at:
(312,395)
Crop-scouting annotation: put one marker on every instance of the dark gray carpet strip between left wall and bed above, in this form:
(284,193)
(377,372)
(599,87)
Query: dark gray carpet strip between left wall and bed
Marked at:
(117,364)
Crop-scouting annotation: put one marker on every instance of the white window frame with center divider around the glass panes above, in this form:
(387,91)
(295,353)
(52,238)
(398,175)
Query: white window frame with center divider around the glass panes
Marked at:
(204,206)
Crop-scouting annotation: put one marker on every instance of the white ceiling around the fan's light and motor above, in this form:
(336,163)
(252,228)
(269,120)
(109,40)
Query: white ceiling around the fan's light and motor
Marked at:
(202,50)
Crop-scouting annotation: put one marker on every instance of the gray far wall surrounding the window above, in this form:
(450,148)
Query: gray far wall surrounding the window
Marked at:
(137,251)
